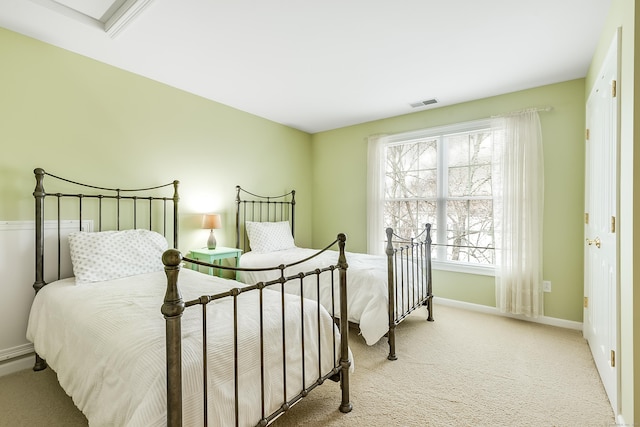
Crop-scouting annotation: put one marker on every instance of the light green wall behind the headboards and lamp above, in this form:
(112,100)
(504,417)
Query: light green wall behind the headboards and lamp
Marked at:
(82,119)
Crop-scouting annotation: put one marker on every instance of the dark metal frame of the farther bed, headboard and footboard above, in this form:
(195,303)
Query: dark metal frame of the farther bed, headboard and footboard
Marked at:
(409,268)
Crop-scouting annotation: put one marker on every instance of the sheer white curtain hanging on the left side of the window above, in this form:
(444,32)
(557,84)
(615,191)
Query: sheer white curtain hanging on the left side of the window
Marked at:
(375,195)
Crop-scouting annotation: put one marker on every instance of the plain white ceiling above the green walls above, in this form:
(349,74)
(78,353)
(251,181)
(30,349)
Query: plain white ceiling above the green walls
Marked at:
(324,64)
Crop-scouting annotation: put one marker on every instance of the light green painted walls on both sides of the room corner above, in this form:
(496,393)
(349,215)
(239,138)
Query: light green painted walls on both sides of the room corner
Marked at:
(83,119)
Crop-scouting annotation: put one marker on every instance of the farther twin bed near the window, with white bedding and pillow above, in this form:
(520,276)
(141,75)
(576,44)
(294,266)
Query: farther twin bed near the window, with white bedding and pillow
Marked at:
(382,290)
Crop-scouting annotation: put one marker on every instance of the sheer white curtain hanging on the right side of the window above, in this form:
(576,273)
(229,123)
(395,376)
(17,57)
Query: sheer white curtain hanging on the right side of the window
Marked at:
(518,208)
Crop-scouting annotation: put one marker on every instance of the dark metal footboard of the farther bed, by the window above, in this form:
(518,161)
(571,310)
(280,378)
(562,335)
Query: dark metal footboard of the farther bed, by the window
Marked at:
(409,279)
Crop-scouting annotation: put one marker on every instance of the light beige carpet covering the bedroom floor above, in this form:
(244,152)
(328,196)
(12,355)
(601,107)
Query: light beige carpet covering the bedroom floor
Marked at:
(464,369)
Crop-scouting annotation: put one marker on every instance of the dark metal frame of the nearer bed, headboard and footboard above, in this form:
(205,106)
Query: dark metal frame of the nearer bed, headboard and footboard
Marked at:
(127,214)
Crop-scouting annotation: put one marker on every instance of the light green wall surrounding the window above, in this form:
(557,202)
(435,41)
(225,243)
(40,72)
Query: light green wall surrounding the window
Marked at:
(340,184)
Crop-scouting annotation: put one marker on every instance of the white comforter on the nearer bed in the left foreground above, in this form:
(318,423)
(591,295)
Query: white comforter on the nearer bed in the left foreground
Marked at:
(106,342)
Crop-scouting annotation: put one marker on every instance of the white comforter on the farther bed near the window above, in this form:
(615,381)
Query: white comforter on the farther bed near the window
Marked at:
(368,293)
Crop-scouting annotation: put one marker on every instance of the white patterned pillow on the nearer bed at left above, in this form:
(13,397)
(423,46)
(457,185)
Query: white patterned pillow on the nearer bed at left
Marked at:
(108,255)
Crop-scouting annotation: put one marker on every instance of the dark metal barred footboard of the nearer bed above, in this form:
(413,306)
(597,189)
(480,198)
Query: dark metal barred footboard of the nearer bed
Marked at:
(174,307)
